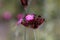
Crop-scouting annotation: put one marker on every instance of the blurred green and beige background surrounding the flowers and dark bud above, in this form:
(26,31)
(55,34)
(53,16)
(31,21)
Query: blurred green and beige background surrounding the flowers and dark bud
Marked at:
(49,9)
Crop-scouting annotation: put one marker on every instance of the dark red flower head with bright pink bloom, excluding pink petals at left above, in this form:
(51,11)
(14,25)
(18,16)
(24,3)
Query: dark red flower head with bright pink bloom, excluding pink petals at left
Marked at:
(32,21)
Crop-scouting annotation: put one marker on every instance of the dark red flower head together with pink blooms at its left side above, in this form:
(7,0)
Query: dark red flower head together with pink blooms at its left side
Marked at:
(30,20)
